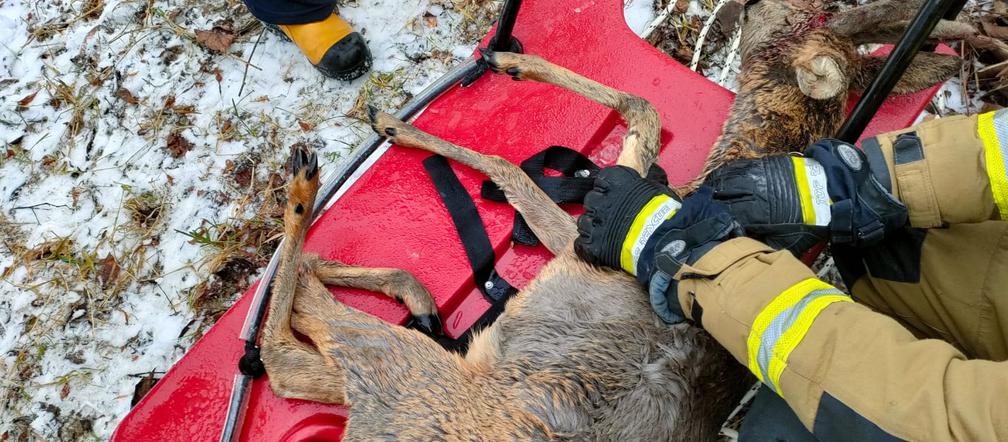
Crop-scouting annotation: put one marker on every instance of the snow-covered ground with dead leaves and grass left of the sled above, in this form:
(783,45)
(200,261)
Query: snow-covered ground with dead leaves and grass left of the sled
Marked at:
(131,155)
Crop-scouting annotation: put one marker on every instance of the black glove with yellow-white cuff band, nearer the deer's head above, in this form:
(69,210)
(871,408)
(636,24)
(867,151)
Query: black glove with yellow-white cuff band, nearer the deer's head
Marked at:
(797,202)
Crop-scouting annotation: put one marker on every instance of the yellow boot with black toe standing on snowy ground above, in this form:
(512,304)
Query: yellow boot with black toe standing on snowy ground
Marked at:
(332,46)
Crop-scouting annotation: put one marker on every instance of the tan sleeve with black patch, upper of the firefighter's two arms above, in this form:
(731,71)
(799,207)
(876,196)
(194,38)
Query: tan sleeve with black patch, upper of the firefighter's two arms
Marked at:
(947,171)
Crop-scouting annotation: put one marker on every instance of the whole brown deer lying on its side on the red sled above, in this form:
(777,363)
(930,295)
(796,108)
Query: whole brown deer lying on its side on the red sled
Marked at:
(578,355)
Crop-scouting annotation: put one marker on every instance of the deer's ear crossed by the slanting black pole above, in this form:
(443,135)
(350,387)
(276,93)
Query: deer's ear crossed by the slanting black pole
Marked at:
(927,70)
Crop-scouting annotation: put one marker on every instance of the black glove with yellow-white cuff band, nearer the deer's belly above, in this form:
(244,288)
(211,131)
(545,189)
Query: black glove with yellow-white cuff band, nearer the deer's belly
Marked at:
(642,228)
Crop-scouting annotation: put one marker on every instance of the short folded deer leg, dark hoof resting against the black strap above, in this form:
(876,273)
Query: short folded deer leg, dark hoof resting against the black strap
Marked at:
(395,283)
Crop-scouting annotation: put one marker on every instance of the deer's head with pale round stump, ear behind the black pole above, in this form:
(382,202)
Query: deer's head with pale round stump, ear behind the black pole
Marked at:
(820,48)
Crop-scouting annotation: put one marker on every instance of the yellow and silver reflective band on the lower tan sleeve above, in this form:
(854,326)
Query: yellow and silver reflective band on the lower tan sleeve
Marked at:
(784,323)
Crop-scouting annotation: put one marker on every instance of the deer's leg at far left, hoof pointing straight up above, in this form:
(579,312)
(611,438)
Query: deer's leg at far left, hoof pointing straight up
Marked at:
(296,370)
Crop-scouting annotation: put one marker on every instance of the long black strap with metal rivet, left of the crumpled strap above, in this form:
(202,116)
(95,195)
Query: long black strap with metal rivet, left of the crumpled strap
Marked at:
(476,242)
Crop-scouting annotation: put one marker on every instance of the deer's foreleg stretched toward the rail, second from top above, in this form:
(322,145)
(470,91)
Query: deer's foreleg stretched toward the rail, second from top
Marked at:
(555,228)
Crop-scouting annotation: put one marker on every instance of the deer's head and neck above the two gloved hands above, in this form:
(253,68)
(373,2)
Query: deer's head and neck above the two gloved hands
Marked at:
(799,65)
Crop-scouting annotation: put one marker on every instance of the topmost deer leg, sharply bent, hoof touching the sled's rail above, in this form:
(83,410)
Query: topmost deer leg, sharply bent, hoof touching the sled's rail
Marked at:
(644,139)
